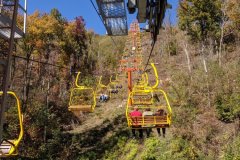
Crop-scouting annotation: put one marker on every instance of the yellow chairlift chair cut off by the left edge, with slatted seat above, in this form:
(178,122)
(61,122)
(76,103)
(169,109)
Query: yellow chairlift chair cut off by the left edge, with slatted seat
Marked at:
(9,148)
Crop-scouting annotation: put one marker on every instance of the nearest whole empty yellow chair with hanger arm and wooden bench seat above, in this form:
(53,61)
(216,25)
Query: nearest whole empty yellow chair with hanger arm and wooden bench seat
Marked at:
(82,98)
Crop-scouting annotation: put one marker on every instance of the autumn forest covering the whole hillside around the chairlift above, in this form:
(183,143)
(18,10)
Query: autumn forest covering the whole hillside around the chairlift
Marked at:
(198,63)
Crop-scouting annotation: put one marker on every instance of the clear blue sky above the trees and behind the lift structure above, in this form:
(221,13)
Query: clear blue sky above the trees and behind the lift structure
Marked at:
(73,8)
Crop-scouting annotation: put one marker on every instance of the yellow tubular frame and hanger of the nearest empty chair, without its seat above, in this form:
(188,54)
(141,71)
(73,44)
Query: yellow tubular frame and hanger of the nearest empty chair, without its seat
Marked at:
(79,87)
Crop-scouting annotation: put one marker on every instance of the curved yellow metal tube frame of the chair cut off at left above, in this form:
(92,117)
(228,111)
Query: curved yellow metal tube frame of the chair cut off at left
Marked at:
(15,143)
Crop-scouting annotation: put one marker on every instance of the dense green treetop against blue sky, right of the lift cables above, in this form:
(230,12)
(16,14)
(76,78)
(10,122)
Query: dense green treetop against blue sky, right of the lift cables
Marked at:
(200,19)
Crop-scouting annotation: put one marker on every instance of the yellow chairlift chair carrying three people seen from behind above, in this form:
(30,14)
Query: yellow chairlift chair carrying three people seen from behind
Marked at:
(159,102)
